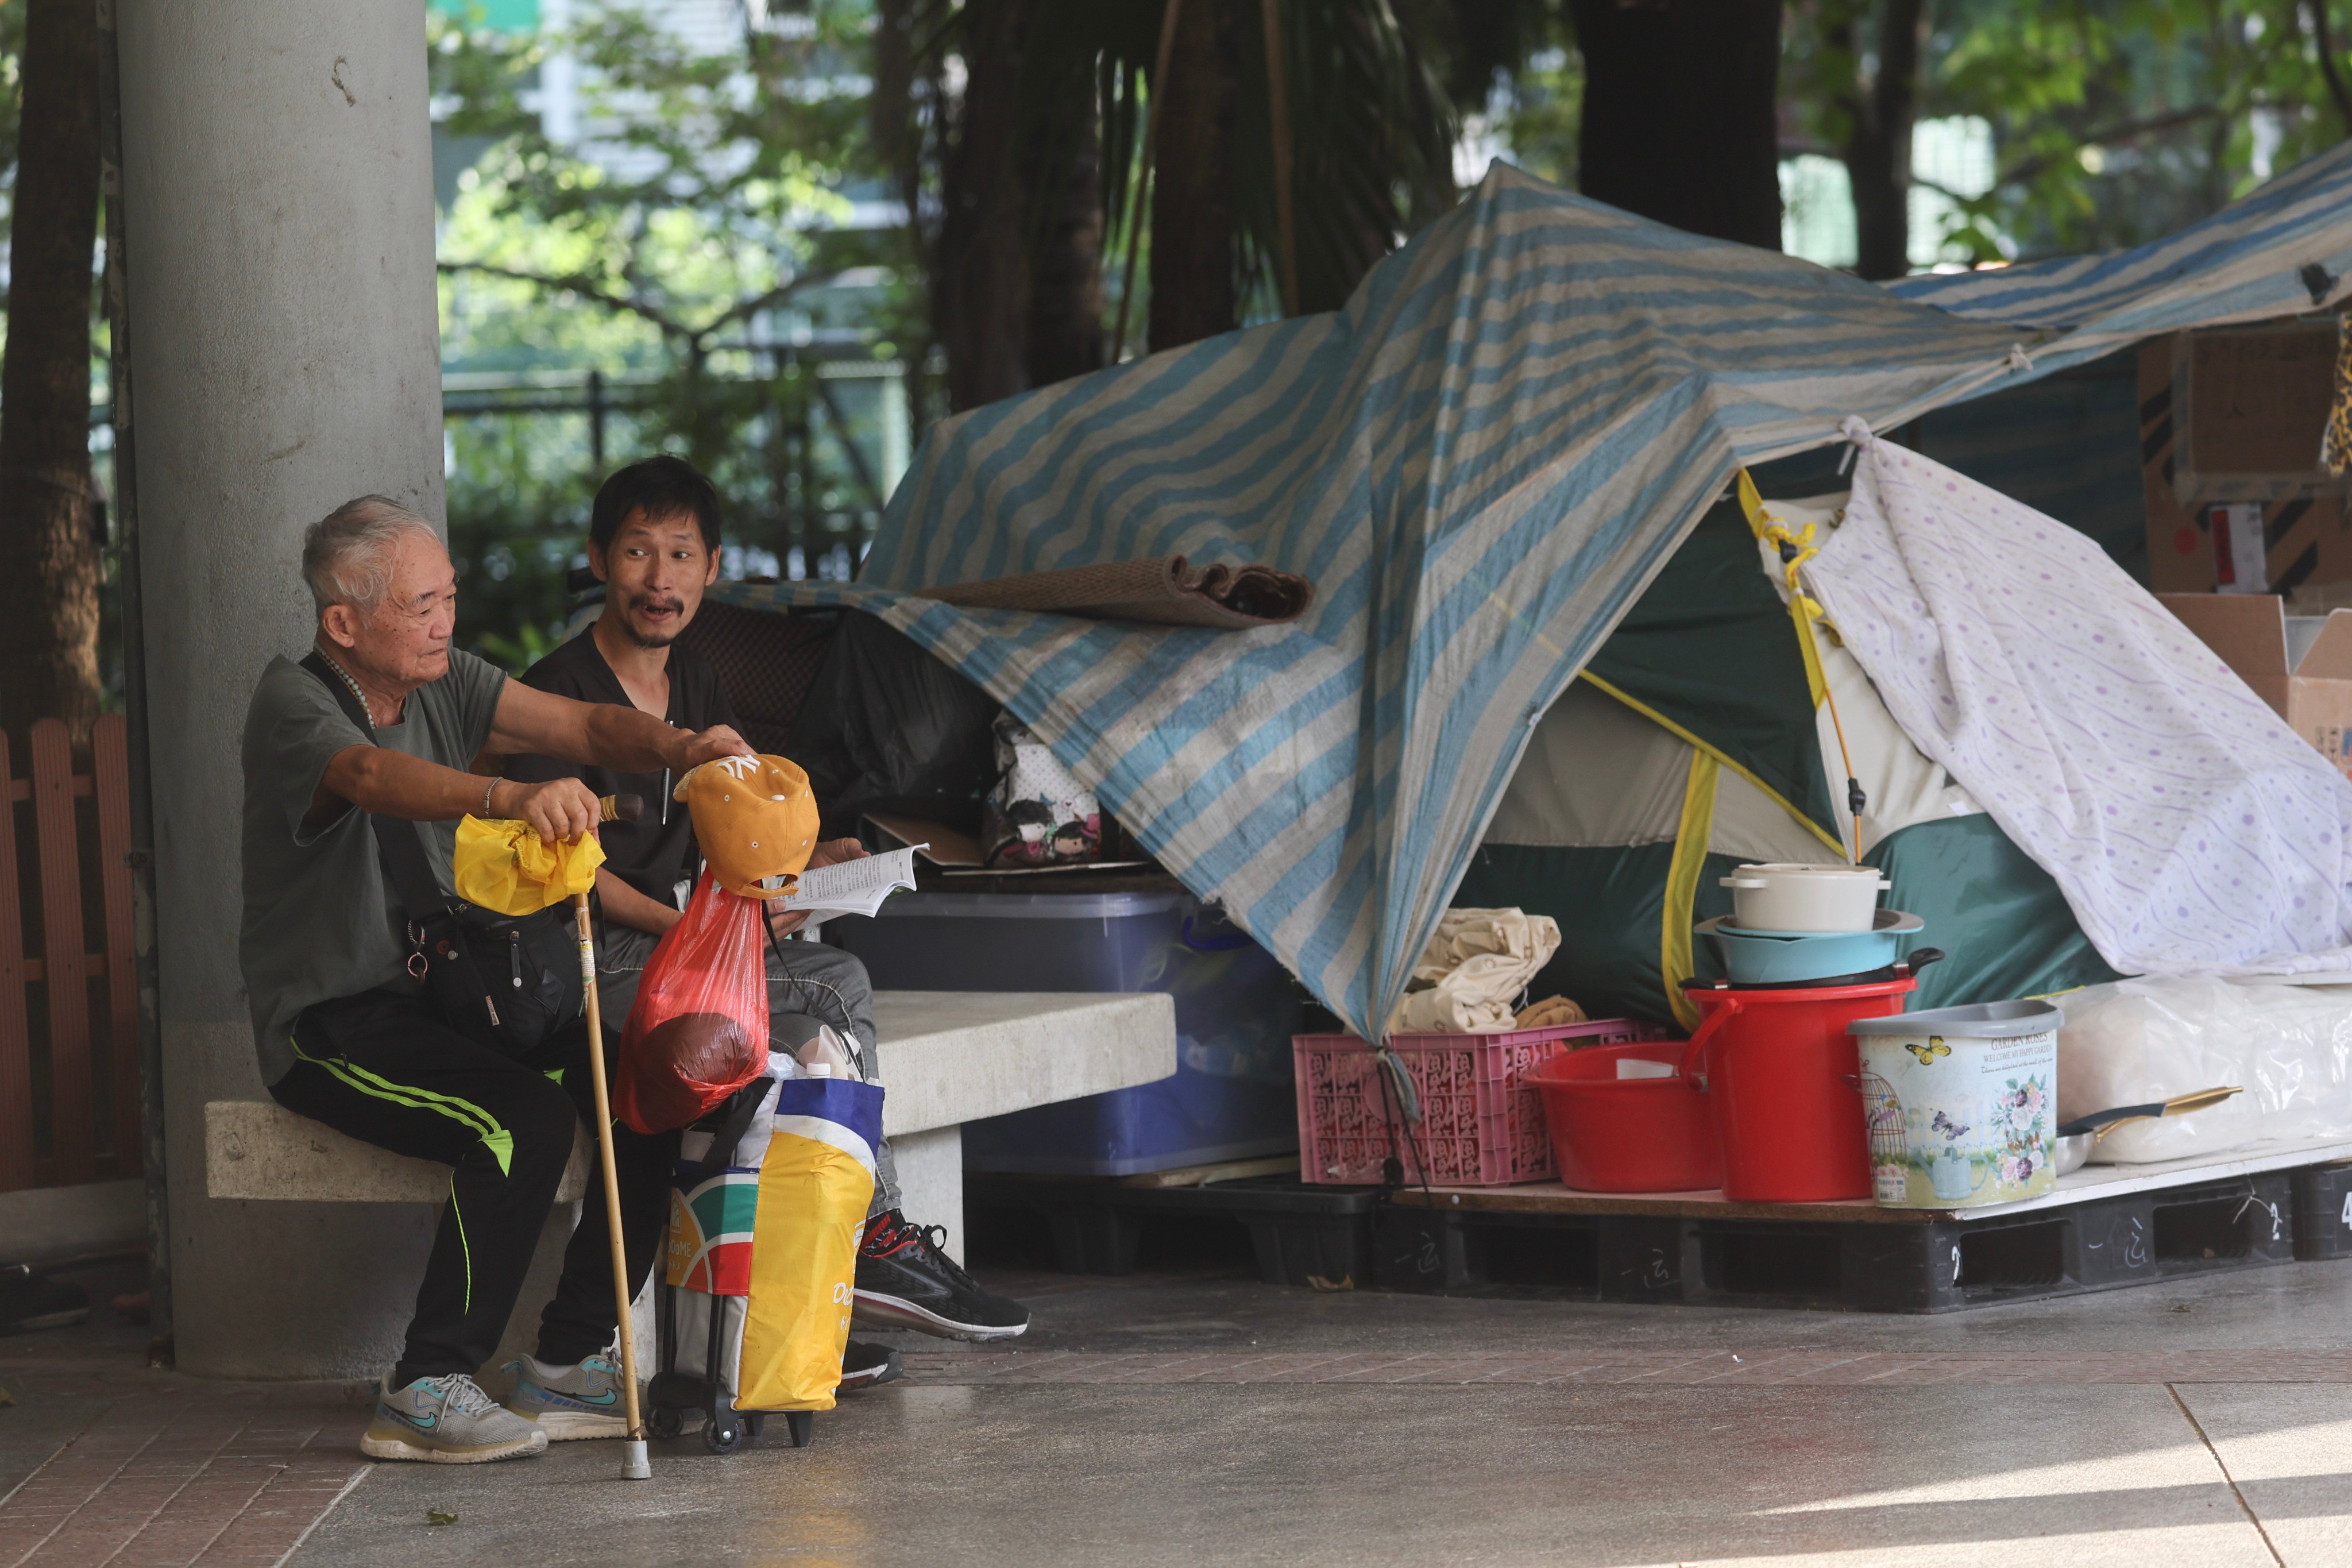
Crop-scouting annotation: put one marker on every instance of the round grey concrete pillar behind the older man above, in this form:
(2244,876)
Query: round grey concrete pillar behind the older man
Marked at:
(279,199)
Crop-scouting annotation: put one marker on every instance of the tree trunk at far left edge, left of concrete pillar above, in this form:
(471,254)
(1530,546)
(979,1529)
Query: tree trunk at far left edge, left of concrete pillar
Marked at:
(51,596)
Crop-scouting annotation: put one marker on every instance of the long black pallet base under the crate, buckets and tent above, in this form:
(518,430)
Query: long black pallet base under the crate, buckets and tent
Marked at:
(2104,1228)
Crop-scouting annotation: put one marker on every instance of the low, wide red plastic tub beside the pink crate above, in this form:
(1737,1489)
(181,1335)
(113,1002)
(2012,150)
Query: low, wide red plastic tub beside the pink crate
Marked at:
(1619,1134)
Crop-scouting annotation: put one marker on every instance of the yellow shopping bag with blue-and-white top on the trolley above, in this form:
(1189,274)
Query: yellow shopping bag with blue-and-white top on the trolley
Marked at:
(815,1186)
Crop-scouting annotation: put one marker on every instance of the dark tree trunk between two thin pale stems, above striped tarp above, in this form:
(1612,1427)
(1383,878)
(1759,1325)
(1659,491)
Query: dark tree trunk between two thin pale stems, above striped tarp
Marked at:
(1191,201)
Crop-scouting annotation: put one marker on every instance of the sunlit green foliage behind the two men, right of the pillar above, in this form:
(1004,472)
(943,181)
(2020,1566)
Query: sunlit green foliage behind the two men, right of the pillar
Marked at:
(700,215)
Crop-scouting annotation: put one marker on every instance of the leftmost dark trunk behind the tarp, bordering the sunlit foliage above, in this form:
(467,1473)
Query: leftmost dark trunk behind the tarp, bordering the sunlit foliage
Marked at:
(982,295)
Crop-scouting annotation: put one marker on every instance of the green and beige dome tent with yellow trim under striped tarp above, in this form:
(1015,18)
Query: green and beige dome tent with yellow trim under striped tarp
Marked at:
(1695,744)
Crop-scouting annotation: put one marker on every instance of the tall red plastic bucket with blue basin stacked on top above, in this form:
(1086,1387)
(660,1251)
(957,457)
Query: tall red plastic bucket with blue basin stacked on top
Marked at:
(1779,1071)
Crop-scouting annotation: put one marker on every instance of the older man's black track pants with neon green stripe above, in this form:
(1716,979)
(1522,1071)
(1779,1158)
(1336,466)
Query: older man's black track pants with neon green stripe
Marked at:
(387,1071)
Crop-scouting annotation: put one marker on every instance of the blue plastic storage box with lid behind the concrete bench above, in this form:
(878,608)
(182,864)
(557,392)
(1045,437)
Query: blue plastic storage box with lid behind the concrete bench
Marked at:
(1236,1014)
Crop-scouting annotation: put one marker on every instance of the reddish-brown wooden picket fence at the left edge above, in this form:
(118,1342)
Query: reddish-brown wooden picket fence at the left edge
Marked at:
(69,1017)
